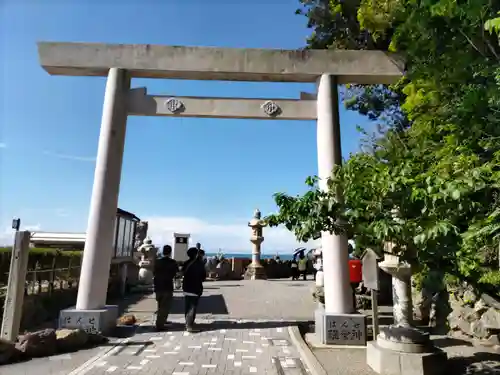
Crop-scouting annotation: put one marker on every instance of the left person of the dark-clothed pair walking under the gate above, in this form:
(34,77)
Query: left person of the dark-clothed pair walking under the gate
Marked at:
(164,273)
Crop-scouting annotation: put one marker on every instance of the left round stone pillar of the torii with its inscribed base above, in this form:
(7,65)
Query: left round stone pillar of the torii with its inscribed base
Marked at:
(91,311)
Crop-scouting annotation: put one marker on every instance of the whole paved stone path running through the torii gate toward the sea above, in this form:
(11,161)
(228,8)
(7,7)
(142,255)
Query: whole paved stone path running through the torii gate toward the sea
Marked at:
(231,314)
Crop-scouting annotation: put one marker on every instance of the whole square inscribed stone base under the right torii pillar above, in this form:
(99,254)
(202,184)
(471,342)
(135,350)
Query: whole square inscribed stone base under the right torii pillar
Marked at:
(340,329)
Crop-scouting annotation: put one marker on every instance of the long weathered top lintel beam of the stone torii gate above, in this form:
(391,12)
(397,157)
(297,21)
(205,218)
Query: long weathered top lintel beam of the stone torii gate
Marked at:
(214,63)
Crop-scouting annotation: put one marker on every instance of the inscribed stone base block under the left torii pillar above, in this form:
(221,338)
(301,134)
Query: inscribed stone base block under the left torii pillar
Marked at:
(92,321)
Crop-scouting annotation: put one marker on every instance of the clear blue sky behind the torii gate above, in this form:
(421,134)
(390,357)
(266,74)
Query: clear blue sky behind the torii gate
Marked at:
(203,176)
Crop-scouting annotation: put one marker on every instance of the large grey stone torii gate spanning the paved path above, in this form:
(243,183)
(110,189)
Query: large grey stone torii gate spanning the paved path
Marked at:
(121,62)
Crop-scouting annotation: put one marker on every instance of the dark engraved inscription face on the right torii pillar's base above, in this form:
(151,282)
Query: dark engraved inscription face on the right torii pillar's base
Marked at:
(346,330)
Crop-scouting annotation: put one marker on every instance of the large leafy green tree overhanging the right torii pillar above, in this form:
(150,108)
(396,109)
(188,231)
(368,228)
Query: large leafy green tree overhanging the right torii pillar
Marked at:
(429,183)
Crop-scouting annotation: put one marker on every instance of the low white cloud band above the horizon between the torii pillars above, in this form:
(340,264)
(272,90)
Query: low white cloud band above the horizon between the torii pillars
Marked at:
(230,237)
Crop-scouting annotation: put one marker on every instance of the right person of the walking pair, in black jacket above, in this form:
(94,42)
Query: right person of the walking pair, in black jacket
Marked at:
(192,285)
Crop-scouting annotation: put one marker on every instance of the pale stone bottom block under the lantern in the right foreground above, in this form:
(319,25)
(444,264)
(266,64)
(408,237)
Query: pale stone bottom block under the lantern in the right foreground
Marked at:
(391,362)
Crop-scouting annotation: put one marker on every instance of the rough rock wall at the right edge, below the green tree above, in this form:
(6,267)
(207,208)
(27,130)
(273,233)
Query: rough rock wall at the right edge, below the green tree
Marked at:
(474,316)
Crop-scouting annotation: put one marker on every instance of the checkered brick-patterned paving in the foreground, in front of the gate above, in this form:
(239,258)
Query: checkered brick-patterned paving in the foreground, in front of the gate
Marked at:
(232,347)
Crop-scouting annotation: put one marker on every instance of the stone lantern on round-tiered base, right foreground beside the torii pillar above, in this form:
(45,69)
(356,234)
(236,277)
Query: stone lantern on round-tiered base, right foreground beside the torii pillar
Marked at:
(401,348)
